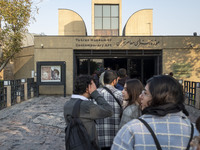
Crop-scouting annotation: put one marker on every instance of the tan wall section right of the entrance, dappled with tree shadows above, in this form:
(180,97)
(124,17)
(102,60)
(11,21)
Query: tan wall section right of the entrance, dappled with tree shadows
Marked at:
(184,63)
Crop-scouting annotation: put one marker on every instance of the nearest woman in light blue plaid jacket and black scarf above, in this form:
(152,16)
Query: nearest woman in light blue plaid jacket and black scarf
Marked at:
(164,123)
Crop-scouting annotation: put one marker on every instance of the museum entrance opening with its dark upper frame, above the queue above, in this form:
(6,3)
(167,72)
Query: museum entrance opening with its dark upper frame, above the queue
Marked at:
(139,66)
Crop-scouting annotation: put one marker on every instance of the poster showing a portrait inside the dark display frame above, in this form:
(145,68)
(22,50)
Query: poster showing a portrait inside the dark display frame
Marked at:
(50,73)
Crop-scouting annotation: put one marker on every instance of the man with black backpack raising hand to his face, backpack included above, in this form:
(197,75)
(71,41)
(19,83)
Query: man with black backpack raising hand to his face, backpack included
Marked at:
(88,111)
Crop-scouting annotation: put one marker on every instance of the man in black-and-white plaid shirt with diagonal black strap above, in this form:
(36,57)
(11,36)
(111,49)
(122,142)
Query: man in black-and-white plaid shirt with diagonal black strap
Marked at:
(108,127)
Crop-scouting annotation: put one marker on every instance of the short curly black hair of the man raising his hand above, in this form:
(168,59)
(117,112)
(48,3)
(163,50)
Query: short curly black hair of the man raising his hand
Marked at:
(81,84)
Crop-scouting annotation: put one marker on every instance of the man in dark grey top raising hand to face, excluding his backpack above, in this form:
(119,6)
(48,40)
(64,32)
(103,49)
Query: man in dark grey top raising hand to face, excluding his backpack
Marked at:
(85,89)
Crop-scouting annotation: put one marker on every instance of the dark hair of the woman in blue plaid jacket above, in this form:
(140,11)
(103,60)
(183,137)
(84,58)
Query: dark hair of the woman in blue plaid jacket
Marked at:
(165,89)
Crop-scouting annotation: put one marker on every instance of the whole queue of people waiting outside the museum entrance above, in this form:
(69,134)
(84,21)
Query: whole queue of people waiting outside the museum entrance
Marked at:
(135,116)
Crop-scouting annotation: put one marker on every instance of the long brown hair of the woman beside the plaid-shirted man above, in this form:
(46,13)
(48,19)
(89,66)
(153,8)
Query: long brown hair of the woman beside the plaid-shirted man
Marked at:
(134,88)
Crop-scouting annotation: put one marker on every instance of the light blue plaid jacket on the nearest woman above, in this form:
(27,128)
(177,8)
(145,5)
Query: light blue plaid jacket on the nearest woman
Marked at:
(172,131)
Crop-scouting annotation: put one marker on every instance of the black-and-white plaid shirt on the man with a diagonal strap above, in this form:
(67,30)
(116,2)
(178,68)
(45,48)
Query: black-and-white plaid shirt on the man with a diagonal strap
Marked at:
(108,127)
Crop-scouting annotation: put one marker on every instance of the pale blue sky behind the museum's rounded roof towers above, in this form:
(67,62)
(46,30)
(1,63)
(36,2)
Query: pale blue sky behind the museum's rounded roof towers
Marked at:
(170,17)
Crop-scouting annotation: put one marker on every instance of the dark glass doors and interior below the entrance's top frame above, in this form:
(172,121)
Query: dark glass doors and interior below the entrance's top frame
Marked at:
(140,68)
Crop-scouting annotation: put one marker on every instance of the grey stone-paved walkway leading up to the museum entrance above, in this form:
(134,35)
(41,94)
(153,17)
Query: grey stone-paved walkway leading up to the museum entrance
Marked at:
(38,124)
